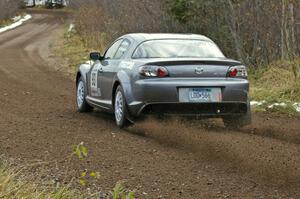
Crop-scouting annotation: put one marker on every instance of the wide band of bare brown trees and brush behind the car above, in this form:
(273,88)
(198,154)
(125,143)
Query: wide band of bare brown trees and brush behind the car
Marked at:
(254,31)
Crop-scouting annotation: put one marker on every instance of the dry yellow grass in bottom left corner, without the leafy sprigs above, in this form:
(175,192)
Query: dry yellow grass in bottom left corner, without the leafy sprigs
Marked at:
(16,182)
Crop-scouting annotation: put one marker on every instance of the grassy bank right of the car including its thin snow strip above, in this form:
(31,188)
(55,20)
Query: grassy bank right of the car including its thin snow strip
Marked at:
(276,87)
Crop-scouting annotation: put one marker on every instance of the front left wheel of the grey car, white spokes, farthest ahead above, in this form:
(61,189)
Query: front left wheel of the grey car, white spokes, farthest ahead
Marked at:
(81,93)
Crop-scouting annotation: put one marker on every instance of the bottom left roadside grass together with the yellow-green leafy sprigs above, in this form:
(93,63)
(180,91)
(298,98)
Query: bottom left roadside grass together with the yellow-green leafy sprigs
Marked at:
(16,182)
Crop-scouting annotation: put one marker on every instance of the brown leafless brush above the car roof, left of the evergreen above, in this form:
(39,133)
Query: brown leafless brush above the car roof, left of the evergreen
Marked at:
(100,22)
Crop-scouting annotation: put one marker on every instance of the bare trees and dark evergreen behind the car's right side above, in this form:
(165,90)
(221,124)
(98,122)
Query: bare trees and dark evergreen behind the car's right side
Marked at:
(255,31)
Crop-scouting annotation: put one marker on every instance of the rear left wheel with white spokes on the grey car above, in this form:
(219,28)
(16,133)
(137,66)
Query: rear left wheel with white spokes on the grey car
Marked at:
(120,108)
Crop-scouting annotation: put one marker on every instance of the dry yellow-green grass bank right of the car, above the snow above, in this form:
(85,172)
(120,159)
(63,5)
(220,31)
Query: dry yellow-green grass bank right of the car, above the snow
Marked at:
(279,81)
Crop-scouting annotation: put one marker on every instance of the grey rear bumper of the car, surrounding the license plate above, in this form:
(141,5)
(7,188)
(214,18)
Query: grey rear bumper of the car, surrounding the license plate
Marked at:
(152,96)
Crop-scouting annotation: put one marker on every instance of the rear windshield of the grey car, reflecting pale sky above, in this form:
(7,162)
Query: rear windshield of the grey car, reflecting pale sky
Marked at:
(177,49)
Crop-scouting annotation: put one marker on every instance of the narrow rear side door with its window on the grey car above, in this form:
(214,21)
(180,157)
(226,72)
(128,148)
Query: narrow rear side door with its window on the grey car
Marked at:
(109,70)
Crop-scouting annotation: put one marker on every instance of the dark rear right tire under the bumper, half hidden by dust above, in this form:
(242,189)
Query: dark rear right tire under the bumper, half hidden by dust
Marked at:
(238,122)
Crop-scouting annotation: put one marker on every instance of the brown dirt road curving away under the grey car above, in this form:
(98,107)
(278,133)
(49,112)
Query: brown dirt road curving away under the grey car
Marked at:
(170,159)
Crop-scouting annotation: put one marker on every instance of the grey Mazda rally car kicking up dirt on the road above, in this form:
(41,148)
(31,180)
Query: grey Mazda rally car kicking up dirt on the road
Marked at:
(176,74)
